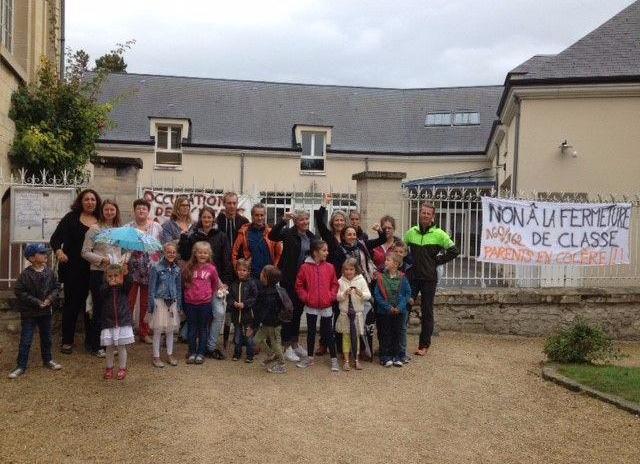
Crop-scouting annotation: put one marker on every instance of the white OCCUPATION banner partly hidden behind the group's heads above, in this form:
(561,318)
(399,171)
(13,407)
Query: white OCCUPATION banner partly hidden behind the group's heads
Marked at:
(162,203)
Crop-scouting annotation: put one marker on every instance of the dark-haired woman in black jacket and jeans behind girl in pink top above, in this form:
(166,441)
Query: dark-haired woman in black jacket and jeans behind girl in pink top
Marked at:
(205,231)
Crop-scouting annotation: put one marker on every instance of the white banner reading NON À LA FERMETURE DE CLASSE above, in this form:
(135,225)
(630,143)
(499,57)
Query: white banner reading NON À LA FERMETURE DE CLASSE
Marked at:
(538,233)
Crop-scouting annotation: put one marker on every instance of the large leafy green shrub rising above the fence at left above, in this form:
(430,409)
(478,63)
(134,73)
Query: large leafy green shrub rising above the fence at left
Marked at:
(58,121)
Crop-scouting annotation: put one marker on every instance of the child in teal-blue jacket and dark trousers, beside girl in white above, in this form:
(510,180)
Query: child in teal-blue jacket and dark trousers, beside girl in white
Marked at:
(392,294)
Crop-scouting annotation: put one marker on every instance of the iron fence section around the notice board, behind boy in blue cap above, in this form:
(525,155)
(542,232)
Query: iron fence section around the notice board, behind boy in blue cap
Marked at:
(11,251)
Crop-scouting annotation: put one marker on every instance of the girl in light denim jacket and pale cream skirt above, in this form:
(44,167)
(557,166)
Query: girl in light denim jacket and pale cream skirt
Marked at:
(165,295)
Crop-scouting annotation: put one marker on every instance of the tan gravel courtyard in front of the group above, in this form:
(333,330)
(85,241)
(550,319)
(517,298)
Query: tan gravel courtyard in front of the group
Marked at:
(473,399)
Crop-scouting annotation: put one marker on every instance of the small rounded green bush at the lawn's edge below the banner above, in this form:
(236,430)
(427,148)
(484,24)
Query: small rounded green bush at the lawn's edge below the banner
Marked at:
(580,343)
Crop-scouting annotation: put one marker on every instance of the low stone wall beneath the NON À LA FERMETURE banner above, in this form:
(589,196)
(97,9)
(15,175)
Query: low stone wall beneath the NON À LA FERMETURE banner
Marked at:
(538,312)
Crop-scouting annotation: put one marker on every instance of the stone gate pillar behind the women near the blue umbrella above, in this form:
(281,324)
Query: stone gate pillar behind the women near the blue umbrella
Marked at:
(116,178)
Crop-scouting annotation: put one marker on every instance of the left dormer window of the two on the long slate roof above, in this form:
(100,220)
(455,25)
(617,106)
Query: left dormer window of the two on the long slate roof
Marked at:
(168,136)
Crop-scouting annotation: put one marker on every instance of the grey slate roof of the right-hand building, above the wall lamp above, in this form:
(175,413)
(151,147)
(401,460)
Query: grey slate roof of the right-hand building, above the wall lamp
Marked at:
(610,51)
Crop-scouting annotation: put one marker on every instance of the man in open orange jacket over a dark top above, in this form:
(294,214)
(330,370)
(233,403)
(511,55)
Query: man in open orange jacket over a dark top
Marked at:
(253,243)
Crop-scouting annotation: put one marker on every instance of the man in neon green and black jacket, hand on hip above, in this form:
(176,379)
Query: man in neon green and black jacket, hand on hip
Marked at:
(430,247)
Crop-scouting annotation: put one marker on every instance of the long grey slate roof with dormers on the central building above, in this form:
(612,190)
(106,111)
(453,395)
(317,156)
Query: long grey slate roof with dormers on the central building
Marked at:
(262,114)
